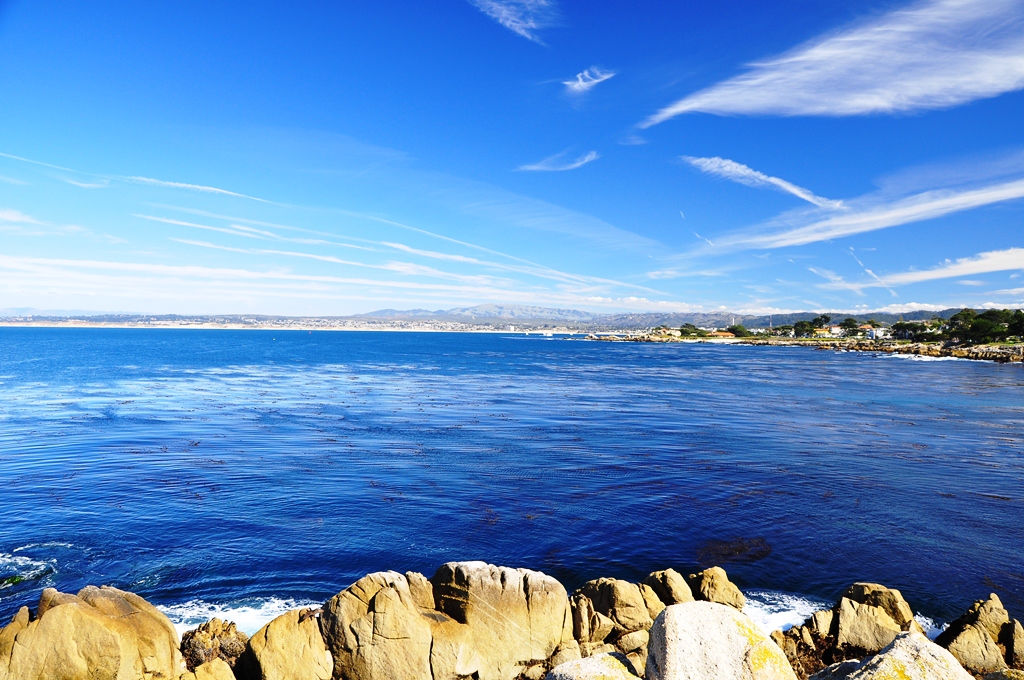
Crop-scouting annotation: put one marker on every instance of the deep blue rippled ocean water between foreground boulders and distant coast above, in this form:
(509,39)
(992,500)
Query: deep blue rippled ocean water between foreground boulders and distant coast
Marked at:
(216,472)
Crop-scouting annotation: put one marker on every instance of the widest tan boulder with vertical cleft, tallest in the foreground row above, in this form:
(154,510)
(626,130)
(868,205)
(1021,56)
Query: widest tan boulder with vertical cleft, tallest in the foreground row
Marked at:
(473,619)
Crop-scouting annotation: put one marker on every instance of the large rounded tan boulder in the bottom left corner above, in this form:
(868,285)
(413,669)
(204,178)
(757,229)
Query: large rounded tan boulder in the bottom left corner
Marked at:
(102,633)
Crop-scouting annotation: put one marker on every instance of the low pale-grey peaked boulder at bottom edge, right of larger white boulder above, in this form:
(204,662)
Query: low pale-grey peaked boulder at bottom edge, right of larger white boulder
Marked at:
(909,657)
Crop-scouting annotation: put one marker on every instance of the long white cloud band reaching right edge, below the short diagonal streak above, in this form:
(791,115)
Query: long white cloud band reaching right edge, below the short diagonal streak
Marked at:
(869,216)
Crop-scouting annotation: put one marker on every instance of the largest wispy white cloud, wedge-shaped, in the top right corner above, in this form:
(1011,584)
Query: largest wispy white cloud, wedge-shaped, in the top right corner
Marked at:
(931,55)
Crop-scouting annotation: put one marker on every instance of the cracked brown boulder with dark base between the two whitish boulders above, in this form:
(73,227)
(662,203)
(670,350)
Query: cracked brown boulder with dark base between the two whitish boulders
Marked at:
(867,619)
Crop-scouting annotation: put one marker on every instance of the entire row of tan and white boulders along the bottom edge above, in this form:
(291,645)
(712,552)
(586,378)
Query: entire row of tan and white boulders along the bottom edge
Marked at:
(481,622)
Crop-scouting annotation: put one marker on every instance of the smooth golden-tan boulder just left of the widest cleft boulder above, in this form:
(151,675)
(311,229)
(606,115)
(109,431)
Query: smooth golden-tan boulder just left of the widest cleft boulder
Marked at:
(290,648)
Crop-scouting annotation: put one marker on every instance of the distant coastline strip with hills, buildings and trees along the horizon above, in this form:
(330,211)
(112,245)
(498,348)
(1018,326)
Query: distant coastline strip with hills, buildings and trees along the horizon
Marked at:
(987,334)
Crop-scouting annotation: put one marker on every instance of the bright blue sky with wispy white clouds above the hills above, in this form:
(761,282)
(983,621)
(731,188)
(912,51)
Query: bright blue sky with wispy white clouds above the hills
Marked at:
(337,158)
